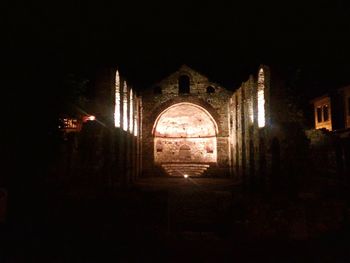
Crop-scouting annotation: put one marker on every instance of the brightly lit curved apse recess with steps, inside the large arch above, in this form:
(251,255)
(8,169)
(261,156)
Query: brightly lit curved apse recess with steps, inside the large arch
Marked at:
(185,139)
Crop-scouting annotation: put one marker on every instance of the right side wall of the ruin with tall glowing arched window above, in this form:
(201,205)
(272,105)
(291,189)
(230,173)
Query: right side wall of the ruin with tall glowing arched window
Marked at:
(247,139)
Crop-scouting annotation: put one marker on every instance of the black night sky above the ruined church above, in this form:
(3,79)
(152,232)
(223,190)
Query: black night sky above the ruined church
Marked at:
(148,40)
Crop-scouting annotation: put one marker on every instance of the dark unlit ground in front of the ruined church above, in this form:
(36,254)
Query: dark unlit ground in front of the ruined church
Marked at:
(190,222)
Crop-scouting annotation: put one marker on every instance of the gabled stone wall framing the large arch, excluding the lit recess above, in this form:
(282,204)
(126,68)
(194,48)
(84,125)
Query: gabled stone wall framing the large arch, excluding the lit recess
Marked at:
(166,93)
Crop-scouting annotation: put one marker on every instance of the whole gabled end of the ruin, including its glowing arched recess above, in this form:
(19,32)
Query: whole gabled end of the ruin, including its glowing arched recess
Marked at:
(185,125)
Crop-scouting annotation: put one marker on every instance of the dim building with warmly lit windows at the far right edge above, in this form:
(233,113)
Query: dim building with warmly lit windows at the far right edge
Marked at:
(330,140)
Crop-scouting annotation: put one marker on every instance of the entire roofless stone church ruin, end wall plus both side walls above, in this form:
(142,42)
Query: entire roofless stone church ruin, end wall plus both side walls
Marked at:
(189,125)
